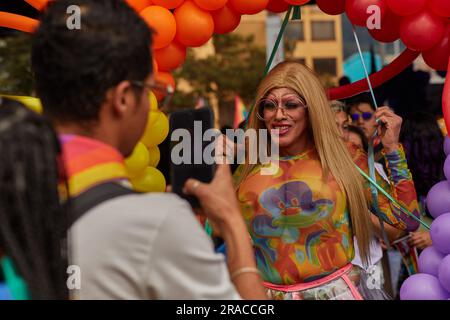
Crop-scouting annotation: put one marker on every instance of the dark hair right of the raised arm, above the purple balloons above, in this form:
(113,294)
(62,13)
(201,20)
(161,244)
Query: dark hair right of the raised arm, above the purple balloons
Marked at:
(422,140)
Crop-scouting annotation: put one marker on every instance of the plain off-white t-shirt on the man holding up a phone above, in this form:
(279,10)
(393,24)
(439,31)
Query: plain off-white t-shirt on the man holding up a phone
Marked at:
(147,246)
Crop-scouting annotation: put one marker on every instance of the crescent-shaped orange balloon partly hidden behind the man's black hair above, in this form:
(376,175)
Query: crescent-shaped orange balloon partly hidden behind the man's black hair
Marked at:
(163,22)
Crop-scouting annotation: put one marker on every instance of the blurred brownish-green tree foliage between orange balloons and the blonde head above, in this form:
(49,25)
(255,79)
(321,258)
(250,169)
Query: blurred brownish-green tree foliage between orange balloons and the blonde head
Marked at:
(237,67)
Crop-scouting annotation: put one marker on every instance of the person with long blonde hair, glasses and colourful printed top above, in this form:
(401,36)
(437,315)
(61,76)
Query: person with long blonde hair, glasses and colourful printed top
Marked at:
(302,219)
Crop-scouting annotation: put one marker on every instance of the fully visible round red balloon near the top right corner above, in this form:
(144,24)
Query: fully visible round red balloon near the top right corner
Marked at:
(422,31)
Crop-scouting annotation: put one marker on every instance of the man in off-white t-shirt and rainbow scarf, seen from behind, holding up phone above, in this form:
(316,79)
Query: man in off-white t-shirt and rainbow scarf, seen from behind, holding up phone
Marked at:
(94,84)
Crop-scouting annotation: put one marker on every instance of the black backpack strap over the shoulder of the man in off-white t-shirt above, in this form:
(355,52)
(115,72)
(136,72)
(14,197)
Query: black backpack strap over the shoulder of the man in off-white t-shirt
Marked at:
(93,197)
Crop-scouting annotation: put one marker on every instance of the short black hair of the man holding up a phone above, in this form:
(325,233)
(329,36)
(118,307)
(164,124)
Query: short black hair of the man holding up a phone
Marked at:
(74,69)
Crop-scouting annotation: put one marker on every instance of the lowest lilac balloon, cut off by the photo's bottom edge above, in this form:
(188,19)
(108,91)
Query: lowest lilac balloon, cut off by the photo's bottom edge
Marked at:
(422,286)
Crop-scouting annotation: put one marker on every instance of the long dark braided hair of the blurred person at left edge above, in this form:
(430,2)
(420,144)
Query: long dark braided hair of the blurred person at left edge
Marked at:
(32,219)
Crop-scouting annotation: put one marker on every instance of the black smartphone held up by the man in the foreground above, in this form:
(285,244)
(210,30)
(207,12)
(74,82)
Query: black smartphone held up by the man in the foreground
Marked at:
(187,151)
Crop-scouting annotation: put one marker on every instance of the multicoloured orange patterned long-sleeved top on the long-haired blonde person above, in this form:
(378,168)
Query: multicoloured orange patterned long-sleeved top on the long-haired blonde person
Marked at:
(300,224)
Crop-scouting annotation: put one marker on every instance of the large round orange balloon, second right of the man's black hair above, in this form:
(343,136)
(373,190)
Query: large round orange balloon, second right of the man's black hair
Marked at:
(194,25)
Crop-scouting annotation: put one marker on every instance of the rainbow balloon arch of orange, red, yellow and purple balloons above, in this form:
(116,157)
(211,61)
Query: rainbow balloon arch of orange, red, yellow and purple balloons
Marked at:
(422,25)
